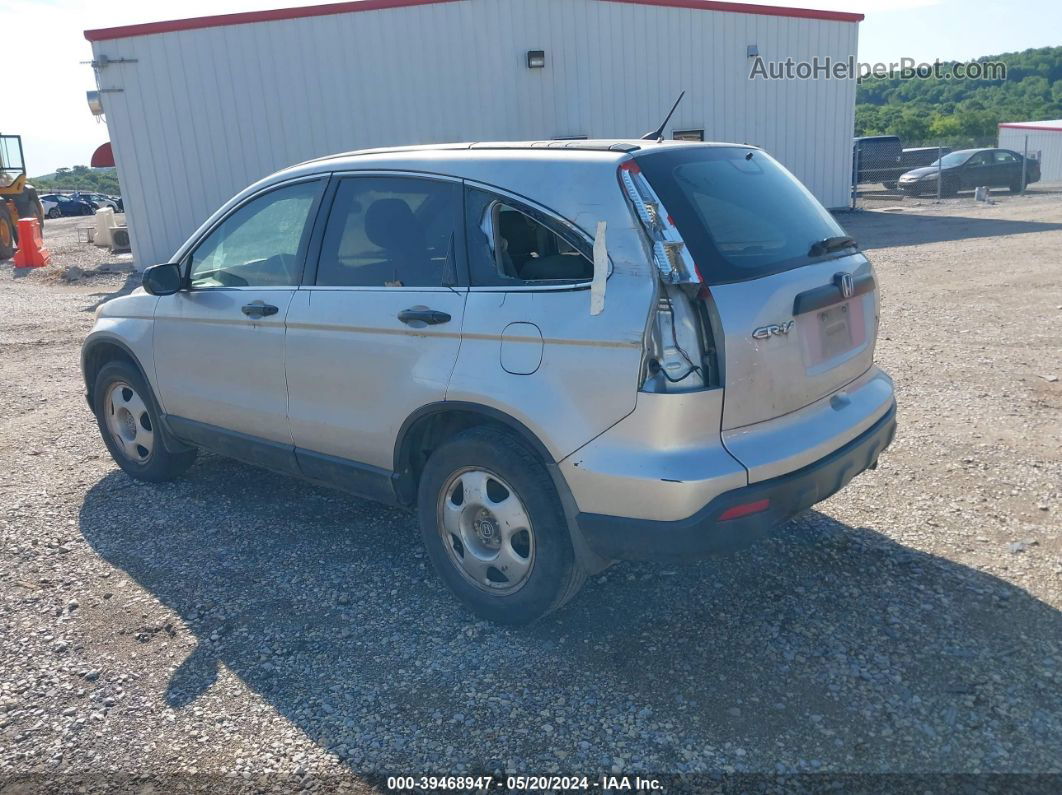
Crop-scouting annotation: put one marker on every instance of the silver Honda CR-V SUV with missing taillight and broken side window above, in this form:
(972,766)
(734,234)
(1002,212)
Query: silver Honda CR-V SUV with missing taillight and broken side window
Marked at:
(561,354)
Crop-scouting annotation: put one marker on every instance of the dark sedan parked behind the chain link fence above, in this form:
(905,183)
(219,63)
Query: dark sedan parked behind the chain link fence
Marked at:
(971,168)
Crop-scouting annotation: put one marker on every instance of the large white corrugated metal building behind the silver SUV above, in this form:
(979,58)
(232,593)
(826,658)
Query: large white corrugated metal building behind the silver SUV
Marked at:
(199,109)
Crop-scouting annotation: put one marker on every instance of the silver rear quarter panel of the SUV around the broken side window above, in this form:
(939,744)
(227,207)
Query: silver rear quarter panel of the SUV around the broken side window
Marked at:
(588,379)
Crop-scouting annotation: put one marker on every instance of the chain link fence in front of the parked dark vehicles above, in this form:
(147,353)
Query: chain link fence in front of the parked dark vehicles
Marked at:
(887,168)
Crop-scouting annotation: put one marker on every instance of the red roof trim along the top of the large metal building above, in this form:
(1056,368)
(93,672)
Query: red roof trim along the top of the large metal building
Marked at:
(104,34)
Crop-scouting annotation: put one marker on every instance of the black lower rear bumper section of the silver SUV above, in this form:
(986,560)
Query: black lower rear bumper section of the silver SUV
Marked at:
(616,538)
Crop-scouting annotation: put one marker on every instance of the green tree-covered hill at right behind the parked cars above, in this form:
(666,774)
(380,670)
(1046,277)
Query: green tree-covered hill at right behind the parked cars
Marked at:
(963,112)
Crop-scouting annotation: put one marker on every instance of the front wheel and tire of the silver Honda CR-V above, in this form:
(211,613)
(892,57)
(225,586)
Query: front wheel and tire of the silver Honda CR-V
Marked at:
(129,421)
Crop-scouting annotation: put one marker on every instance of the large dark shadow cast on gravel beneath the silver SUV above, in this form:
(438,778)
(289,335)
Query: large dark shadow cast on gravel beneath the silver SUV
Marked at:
(829,648)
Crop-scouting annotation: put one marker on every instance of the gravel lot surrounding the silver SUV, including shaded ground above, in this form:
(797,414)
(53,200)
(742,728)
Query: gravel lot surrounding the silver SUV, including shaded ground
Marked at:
(239,625)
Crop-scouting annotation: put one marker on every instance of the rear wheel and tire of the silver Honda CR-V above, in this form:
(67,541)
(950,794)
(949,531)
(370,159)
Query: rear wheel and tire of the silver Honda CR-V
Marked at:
(494,528)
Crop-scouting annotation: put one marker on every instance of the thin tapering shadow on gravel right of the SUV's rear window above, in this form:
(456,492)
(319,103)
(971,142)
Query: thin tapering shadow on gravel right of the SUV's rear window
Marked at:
(890,230)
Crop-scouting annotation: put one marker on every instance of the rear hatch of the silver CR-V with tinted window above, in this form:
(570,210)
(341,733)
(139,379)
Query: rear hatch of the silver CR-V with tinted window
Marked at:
(795,301)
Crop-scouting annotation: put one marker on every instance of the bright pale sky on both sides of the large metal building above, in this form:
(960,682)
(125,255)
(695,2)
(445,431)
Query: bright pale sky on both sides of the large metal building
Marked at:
(46,103)
